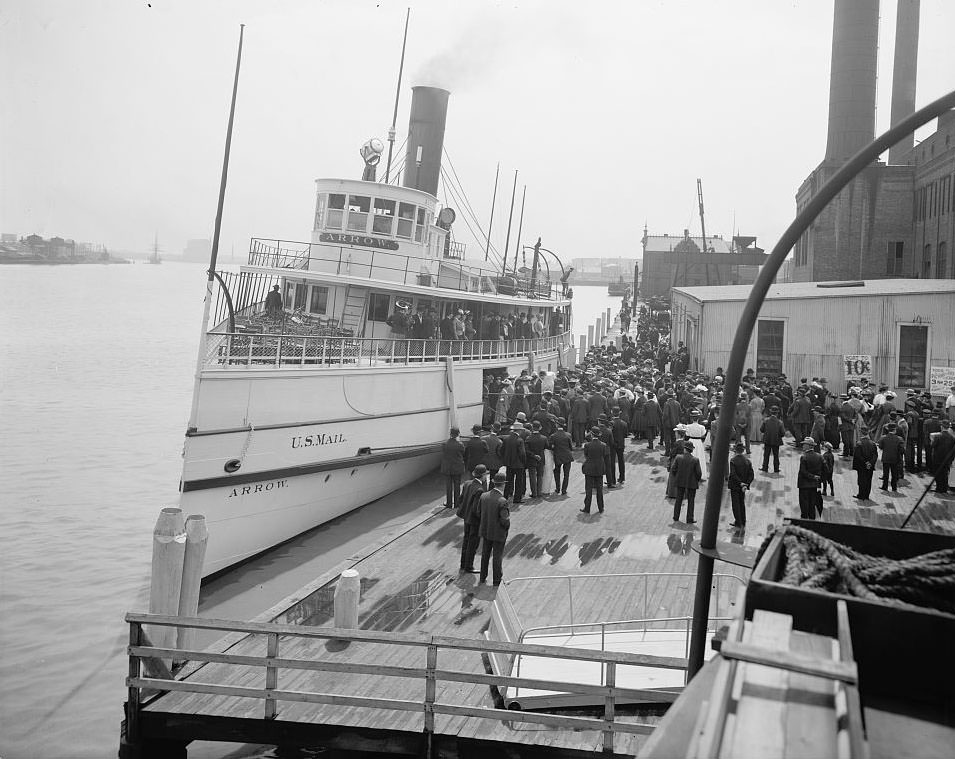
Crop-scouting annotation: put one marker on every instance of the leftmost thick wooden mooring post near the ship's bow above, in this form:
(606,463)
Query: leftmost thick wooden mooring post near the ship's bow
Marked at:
(169,546)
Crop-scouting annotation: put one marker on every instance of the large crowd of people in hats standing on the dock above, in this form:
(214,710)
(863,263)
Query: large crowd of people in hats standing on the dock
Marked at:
(645,392)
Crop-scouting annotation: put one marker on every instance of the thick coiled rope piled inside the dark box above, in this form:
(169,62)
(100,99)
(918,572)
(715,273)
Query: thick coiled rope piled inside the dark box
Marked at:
(813,561)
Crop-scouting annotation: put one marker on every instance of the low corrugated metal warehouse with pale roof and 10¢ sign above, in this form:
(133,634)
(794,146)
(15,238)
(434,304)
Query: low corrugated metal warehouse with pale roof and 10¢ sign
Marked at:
(897,331)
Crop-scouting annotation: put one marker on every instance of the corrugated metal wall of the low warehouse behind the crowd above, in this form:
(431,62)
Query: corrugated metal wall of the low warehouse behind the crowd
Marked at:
(820,331)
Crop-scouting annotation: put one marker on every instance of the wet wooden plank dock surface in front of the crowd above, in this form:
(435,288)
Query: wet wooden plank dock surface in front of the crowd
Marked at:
(410,584)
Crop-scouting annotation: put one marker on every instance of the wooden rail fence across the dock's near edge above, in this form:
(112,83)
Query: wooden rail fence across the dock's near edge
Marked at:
(141,655)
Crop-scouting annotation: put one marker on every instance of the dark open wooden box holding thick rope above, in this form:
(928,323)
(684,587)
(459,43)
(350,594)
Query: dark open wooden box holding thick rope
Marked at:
(905,652)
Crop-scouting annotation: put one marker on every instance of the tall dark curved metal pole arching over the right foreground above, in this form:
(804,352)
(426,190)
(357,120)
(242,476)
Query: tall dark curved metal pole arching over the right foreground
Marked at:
(734,370)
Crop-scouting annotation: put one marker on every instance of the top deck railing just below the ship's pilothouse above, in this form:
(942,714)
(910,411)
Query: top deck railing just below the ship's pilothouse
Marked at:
(389,266)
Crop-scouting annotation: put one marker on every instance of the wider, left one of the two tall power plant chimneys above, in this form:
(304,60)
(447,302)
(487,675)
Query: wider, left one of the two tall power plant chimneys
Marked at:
(855,39)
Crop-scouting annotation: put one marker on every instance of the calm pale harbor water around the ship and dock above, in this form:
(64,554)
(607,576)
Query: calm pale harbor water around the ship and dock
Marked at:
(96,368)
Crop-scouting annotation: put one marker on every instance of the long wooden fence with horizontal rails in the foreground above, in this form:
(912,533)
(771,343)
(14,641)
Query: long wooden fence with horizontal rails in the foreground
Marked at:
(149,678)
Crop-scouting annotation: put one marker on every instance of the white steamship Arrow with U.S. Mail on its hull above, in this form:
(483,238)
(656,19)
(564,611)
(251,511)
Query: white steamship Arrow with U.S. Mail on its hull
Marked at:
(316,392)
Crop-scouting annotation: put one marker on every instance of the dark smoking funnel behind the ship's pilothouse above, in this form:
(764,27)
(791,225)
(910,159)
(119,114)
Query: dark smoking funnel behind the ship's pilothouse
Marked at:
(429,111)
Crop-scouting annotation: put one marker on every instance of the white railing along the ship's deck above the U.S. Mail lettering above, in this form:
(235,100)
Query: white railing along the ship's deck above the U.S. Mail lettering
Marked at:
(251,350)
